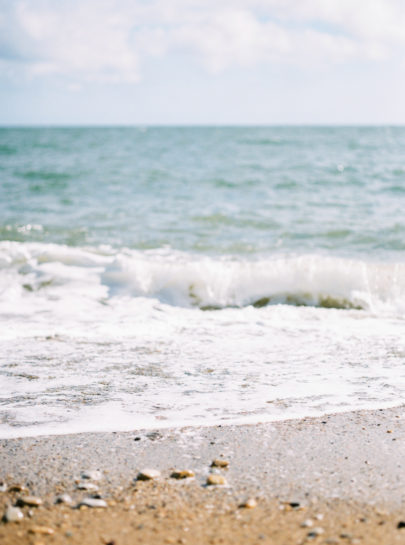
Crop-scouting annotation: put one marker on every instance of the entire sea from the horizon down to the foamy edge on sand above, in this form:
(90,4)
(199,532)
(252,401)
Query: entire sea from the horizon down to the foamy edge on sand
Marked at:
(161,276)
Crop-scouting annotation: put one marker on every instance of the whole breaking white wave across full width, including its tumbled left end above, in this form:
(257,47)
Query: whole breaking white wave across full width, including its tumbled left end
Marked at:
(207,283)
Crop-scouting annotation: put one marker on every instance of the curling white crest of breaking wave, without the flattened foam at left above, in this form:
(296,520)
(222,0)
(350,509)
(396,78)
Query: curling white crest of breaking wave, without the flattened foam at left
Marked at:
(212,284)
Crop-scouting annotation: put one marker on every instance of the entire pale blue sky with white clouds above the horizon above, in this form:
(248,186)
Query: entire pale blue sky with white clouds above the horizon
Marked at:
(202,61)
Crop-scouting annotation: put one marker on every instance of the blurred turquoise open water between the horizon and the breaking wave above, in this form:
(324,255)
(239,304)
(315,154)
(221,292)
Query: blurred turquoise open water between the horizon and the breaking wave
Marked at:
(207,190)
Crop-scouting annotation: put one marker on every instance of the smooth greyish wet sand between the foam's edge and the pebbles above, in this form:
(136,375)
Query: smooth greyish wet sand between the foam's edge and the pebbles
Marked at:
(292,446)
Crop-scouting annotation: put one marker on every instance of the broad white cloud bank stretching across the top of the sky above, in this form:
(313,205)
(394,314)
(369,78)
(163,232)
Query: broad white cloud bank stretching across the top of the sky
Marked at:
(112,39)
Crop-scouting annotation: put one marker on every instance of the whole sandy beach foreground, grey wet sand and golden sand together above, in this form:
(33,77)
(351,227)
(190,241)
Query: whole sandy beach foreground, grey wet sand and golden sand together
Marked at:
(335,479)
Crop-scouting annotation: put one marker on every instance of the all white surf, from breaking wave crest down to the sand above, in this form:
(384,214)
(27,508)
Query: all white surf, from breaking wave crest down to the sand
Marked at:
(97,339)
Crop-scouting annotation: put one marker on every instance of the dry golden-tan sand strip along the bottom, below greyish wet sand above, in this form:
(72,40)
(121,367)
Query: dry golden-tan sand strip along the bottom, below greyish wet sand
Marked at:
(170,511)
